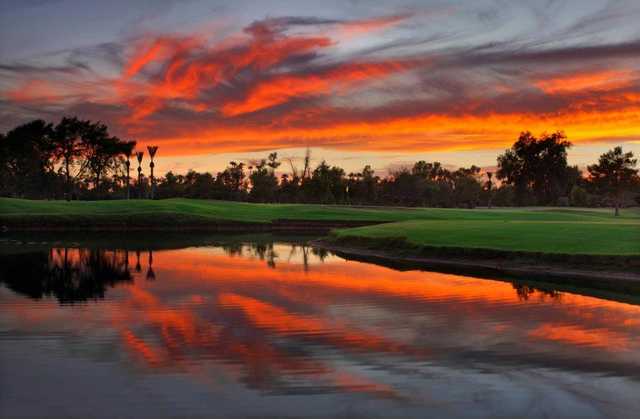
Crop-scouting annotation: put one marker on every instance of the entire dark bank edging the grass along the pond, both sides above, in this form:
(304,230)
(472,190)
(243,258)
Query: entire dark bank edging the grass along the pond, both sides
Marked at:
(616,273)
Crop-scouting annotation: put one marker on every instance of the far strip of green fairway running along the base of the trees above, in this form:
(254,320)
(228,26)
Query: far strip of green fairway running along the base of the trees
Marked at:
(239,211)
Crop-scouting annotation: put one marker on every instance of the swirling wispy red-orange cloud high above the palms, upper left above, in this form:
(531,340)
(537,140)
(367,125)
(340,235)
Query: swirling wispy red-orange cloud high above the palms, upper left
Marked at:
(190,67)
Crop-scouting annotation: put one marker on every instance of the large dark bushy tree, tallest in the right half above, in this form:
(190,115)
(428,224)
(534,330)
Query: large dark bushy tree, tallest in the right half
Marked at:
(536,166)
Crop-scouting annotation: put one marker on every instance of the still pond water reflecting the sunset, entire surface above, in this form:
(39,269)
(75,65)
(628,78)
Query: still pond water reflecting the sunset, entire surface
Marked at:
(276,328)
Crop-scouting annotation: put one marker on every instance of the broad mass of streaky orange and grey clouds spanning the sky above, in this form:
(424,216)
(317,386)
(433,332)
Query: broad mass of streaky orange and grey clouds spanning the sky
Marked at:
(368,83)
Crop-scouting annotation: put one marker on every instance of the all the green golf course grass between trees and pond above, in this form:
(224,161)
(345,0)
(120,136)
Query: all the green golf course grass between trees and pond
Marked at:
(575,231)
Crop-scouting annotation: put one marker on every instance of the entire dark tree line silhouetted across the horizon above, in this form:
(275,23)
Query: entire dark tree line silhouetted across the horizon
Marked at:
(80,159)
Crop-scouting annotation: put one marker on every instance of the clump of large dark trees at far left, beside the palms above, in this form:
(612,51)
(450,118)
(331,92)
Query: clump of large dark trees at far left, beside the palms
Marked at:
(74,159)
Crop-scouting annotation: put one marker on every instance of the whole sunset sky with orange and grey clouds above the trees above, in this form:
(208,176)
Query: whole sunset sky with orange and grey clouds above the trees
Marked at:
(378,82)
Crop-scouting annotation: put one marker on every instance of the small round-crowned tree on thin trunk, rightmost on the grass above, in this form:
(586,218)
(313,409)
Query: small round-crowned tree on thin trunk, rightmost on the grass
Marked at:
(613,174)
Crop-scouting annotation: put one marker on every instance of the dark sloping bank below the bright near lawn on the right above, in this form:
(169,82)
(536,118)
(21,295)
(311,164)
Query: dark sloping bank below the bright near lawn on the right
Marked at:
(514,265)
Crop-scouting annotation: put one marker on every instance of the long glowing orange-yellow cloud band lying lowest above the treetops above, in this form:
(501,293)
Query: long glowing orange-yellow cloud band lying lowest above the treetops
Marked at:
(417,133)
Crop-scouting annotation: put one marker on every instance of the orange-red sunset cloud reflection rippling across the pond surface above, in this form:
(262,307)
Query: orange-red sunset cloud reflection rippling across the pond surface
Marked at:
(280,317)
